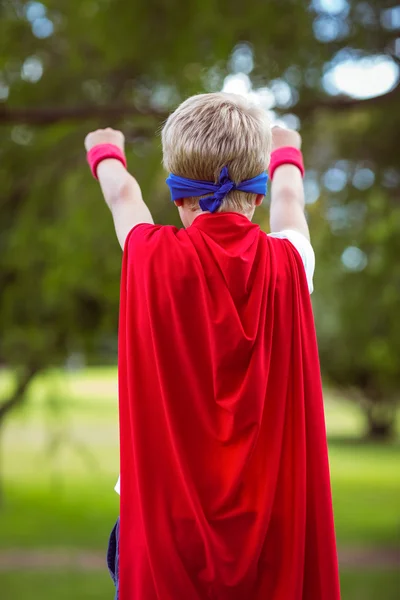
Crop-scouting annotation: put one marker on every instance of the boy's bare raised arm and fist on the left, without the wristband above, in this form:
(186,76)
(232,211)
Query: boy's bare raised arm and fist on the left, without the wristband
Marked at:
(121,191)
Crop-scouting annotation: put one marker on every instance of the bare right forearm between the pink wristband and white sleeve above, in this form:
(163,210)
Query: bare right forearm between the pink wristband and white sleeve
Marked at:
(287,200)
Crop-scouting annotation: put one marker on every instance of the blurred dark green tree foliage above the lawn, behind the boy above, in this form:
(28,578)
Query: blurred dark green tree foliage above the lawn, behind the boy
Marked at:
(70,66)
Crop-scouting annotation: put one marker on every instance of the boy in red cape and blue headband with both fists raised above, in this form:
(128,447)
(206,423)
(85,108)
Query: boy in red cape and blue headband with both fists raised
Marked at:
(225,490)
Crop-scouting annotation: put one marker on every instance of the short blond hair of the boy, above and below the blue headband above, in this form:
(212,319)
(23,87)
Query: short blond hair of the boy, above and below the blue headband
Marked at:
(210,131)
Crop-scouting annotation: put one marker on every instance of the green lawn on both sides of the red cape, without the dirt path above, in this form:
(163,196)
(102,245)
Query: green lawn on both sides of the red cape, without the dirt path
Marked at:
(60,463)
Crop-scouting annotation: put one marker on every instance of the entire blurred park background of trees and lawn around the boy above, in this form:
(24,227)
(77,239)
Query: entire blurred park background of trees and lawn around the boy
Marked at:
(329,68)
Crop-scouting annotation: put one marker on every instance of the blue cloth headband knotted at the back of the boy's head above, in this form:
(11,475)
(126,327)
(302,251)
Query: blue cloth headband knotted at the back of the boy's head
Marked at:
(182,187)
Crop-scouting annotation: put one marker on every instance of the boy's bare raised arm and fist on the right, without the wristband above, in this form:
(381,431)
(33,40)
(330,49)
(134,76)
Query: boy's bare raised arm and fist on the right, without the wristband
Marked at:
(287,190)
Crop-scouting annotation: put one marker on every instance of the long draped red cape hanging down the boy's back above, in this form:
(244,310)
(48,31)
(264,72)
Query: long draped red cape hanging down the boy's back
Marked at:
(225,490)
